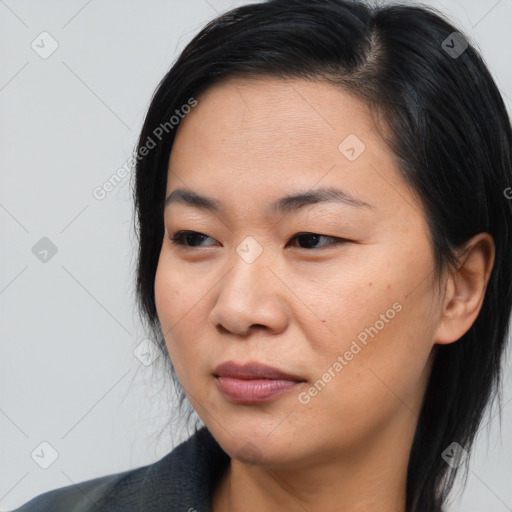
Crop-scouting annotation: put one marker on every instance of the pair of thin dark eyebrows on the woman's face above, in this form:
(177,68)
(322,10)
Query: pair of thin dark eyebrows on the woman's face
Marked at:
(286,204)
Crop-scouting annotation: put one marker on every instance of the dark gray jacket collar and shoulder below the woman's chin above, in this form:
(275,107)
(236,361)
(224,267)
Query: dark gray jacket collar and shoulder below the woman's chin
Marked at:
(182,481)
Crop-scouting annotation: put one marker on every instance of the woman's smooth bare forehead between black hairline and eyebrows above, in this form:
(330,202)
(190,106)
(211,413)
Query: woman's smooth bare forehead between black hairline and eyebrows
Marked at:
(261,137)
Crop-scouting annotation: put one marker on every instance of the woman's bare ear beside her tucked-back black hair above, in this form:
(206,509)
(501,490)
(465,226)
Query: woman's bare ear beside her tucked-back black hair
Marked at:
(465,289)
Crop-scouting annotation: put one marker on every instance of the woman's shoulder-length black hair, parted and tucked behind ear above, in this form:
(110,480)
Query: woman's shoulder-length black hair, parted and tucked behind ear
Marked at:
(445,121)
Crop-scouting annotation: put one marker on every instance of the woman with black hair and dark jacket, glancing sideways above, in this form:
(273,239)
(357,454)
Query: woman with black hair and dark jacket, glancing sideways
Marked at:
(324,257)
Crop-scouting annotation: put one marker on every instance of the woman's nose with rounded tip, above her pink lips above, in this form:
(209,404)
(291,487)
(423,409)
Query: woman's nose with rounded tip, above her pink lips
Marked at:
(250,296)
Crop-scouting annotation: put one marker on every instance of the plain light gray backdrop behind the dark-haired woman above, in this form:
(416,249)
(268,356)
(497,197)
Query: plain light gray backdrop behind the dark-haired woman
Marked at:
(69,327)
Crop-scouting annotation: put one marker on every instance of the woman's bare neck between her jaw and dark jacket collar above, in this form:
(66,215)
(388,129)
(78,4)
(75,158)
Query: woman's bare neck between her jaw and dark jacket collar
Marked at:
(372,479)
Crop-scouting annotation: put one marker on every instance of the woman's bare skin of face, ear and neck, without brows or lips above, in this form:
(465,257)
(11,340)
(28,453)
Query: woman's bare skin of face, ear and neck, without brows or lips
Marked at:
(249,142)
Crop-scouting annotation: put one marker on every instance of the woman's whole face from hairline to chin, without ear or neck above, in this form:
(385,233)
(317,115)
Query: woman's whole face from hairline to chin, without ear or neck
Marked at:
(329,296)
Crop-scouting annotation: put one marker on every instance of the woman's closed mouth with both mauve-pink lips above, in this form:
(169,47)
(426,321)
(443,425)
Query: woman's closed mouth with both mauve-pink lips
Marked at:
(253,382)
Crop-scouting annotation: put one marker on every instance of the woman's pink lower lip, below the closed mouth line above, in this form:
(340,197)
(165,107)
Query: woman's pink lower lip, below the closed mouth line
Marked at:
(253,390)
